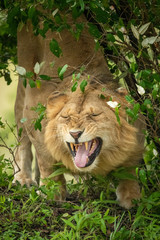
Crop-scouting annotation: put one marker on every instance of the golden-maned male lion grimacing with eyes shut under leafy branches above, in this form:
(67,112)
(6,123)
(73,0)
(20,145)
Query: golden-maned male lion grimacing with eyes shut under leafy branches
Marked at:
(81,129)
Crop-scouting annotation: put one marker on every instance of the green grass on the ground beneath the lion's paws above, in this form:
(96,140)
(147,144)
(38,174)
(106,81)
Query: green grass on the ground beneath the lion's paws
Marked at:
(90,211)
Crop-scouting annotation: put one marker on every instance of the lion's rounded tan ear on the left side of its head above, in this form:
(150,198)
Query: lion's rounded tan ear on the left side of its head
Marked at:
(55,103)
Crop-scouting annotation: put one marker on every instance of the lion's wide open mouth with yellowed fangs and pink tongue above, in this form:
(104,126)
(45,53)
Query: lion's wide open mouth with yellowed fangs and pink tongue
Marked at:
(85,153)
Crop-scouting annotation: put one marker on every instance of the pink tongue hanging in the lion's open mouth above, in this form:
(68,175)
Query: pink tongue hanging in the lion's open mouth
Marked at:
(82,155)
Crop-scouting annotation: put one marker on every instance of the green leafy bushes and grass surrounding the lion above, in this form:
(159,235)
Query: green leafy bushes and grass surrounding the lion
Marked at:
(129,32)
